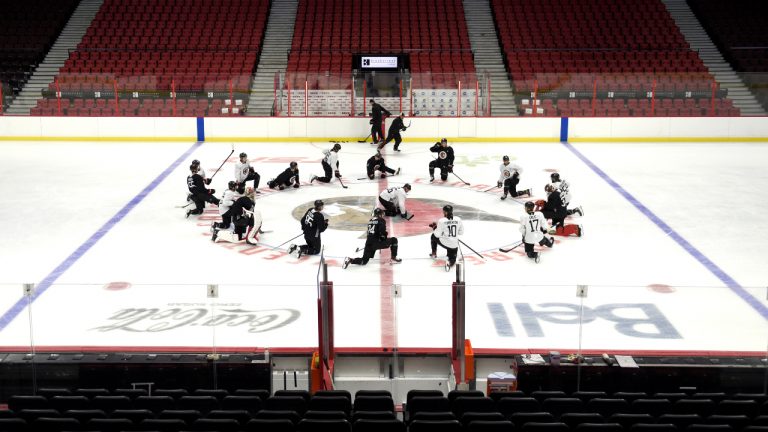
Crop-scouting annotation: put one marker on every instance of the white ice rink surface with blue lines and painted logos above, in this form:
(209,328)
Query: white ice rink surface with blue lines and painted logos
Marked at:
(673,254)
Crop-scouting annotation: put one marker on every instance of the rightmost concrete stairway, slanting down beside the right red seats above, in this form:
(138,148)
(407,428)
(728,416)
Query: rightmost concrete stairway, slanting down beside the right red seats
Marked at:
(699,40)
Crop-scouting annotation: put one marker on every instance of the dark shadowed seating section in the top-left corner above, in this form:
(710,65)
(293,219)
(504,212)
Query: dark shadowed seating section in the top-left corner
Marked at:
(27,31)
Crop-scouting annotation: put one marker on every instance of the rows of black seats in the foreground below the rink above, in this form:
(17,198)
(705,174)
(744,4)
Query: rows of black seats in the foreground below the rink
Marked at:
(256,410)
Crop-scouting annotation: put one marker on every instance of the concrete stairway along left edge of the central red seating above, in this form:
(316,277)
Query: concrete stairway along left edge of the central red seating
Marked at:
(274,56)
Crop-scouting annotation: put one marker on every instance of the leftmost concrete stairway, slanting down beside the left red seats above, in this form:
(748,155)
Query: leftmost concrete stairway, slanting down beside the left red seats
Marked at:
(46,71)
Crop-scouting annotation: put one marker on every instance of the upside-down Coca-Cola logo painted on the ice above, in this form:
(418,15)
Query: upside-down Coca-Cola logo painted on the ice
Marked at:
(153,320)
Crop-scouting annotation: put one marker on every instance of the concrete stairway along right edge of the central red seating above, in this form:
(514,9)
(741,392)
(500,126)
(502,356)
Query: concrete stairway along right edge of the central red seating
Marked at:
(487,54)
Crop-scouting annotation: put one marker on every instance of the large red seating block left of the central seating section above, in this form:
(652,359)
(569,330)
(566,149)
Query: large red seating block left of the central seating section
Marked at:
(146,49)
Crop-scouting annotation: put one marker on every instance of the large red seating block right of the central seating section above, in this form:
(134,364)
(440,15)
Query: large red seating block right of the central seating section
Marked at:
(601,49)
